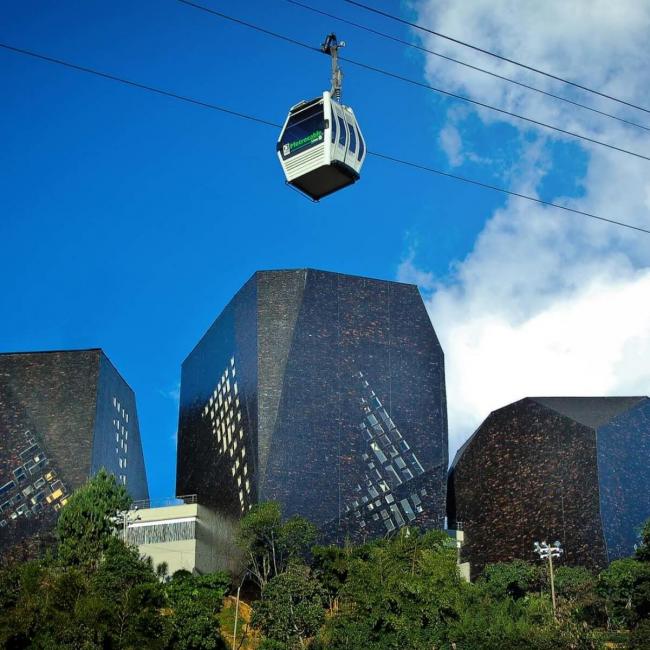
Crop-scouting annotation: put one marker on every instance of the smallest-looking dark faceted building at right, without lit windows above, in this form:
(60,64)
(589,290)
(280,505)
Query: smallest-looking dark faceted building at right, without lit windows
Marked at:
(573,469)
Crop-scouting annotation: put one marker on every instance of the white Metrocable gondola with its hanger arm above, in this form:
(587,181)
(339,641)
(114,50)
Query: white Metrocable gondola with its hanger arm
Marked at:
(321,148)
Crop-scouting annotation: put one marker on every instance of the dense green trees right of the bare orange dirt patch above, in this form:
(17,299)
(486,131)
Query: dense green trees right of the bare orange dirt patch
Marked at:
(405,592)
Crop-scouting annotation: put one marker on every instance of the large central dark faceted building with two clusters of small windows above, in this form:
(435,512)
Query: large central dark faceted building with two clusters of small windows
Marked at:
(322,391)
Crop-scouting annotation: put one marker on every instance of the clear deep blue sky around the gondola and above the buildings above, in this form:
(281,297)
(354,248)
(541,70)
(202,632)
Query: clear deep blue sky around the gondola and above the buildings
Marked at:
(128,220)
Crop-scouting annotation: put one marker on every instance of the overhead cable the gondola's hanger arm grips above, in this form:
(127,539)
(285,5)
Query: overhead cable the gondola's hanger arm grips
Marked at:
(414,82)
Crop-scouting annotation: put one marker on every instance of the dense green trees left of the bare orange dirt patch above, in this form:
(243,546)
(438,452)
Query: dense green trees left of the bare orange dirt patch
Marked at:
(95,592)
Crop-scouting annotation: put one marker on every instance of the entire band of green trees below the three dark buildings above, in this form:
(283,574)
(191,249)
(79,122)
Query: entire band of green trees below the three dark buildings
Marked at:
(405,592)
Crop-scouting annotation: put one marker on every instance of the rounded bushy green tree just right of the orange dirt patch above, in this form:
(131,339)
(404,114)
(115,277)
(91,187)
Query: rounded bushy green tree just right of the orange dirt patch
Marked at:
(291,609)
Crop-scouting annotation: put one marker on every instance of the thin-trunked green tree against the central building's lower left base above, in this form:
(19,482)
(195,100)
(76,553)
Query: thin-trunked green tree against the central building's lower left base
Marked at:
(269,543)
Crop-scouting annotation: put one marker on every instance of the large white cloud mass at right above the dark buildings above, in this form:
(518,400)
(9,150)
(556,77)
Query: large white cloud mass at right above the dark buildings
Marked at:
(547,303)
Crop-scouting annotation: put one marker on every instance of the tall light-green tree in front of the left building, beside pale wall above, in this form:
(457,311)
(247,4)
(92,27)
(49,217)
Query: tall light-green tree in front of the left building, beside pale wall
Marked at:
(84,527)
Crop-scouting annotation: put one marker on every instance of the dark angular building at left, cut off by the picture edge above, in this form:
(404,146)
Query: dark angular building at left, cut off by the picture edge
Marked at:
(63,416)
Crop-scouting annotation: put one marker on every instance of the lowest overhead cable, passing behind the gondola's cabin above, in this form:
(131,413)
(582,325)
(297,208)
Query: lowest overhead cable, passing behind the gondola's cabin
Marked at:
(259,120)
